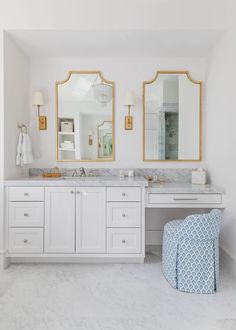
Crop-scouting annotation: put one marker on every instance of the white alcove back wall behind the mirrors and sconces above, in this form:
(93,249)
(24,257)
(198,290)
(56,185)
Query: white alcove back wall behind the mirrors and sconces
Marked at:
(127,74)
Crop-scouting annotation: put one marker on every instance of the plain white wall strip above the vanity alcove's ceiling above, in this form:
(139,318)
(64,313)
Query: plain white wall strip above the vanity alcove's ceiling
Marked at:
(122,14)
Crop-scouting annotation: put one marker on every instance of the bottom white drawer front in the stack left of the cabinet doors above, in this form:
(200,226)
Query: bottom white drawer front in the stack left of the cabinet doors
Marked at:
(26,240)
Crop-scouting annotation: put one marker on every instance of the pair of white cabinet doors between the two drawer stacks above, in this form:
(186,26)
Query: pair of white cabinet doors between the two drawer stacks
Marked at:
(75,220)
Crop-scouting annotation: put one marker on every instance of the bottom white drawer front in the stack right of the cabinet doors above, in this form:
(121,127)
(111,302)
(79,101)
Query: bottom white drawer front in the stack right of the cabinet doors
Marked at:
(121,240)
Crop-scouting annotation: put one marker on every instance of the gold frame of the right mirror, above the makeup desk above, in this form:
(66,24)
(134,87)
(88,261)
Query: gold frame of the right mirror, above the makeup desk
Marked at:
(200,116)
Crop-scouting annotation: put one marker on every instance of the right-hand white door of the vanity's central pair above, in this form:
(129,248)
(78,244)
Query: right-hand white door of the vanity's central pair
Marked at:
(91,220)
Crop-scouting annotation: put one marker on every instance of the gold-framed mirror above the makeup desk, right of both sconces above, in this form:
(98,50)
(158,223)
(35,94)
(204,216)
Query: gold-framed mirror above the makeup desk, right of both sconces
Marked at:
(172,117)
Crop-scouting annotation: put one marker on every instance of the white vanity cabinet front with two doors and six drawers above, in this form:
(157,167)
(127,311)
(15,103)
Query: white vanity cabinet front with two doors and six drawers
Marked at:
(76,222)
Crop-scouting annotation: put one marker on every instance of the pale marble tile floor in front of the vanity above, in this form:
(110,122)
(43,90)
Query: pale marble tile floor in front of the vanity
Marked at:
(108,297)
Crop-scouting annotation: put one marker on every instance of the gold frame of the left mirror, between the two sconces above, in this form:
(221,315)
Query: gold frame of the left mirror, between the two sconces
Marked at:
(70,73)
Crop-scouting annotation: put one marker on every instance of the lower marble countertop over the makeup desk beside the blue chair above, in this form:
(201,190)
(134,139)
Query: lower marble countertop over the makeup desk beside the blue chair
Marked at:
(182,188)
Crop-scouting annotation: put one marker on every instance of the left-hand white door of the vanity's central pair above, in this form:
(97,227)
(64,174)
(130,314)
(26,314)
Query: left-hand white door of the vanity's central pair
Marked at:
(60,220)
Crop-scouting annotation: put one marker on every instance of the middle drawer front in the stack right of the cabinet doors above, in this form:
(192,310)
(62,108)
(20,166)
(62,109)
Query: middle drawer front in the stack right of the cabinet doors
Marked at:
(123,214)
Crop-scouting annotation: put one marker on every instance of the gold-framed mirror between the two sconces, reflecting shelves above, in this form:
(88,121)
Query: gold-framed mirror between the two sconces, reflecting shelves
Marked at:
(84,100)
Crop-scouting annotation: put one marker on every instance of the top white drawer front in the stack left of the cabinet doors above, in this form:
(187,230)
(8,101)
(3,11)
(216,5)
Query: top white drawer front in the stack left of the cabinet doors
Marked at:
(26,194)
